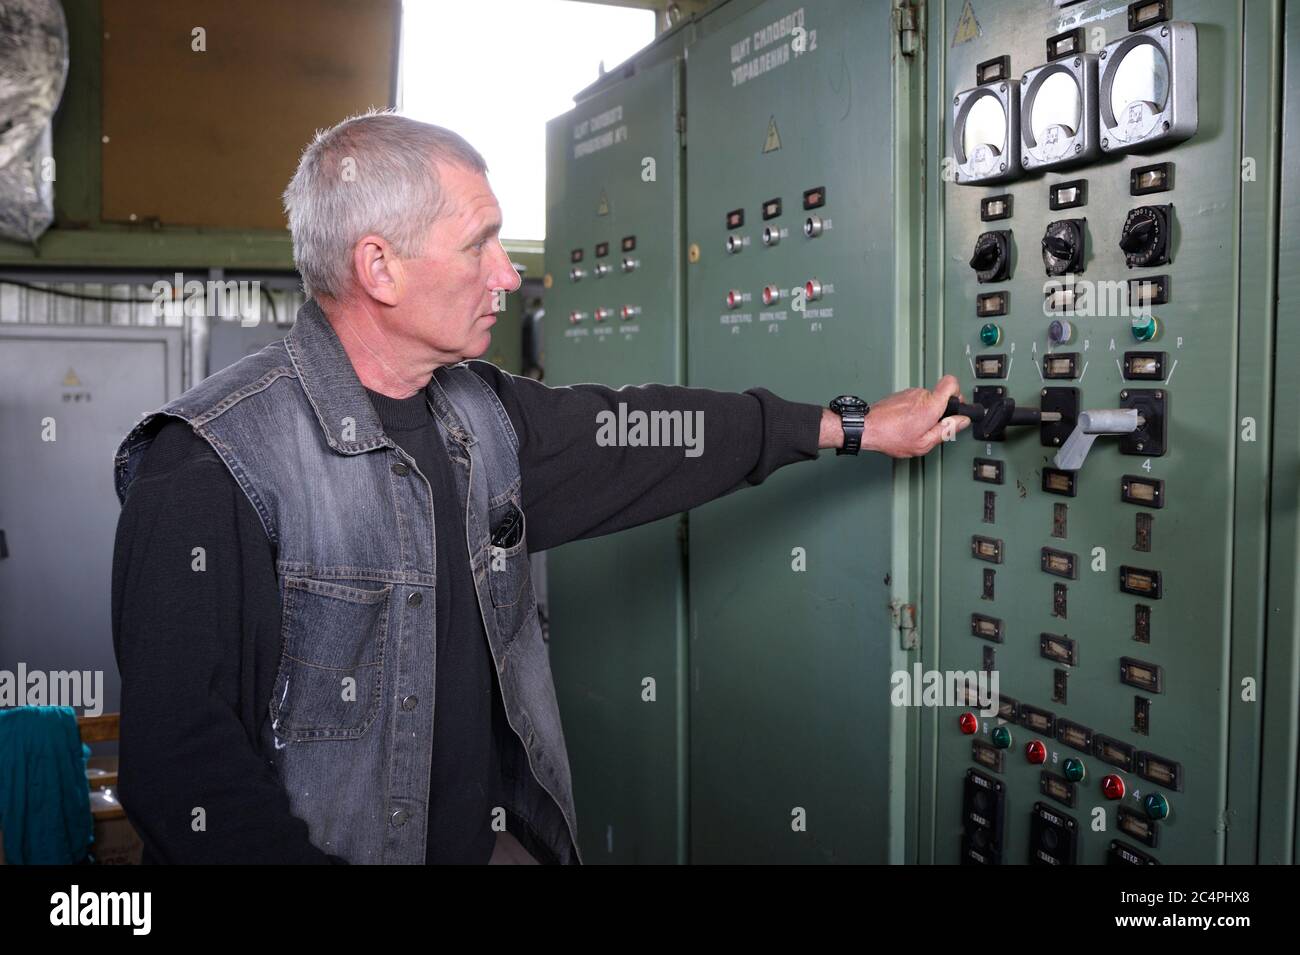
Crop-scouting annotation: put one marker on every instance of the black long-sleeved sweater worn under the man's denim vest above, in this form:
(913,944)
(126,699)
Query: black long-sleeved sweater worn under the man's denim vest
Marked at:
(198,652)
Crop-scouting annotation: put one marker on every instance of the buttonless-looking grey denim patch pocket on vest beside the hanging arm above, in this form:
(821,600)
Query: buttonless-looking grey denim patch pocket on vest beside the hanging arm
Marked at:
(331,679)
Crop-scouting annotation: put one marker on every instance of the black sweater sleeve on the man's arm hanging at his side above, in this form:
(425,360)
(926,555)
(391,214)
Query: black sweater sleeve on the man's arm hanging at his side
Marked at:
(197,639)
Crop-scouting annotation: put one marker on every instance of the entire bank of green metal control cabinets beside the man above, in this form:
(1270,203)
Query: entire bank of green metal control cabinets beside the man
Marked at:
(1069,635)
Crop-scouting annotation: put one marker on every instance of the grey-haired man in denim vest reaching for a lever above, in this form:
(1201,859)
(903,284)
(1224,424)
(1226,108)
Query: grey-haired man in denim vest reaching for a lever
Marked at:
(322,602)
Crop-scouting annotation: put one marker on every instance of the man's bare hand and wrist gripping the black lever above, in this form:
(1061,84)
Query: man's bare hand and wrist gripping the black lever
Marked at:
(907,424)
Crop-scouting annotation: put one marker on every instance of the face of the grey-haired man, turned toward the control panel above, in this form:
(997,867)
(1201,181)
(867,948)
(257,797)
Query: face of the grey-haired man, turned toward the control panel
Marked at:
(448,293)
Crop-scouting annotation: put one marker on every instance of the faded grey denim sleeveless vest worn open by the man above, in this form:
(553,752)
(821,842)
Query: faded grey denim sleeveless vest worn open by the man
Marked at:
(350,730)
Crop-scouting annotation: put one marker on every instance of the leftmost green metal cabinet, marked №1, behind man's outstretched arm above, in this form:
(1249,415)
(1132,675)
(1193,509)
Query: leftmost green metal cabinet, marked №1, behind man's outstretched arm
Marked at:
(618,604)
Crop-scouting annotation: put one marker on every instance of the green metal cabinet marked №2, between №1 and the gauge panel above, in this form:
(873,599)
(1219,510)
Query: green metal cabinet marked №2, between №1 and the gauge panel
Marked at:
(798,585)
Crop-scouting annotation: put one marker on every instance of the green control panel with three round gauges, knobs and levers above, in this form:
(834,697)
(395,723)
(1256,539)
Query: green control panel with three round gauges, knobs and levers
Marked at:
(1098,528)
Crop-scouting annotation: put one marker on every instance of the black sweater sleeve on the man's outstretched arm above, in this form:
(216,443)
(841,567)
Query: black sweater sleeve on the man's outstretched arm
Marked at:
(587,470)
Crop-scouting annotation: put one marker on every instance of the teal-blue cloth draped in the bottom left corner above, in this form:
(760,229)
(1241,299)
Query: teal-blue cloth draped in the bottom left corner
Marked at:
(45,796)
